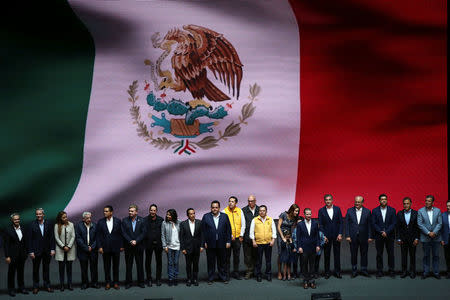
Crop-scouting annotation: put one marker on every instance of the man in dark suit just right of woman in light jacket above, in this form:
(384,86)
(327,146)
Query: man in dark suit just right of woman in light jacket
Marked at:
(191,245)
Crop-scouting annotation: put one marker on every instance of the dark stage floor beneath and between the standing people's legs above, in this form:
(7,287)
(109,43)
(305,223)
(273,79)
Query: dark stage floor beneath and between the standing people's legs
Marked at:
(358,288)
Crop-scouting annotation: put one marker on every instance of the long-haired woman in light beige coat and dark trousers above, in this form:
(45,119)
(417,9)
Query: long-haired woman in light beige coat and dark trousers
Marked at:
(65,248)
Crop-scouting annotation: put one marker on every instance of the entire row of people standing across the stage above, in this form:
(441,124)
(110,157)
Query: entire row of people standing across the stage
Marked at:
(222,234)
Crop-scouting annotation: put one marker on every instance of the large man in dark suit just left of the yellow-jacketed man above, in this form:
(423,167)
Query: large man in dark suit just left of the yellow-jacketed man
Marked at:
(216,230)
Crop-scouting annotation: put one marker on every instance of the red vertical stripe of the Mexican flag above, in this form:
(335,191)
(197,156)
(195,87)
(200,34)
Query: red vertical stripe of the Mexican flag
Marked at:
(373,101)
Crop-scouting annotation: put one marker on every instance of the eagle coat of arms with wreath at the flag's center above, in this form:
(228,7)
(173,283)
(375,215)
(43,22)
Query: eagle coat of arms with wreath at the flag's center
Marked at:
(187,125)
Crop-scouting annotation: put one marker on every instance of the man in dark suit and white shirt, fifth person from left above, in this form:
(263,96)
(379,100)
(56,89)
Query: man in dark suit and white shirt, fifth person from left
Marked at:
(110,244)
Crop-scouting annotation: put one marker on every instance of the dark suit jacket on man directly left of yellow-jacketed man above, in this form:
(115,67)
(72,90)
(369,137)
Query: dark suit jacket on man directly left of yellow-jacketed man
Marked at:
(216,238)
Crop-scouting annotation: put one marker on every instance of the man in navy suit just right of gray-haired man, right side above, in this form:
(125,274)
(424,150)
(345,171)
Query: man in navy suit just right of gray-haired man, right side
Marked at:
(384,220)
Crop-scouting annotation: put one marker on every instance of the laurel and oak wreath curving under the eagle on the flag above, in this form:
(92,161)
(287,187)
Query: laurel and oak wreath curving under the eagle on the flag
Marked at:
(206,143)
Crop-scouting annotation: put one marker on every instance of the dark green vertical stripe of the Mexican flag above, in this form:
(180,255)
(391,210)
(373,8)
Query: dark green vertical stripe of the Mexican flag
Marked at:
(47,64)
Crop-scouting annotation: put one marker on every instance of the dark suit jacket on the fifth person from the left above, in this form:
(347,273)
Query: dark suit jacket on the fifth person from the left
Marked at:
(110,242)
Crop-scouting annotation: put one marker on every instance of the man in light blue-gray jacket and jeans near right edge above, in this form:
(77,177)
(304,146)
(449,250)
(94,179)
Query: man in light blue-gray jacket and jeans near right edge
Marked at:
(429,221)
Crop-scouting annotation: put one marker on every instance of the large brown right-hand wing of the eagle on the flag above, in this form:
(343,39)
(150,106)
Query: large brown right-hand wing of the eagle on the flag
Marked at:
(218,54)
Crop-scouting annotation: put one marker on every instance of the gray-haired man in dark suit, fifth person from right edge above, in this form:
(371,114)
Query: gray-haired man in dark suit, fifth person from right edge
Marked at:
(359,234)
